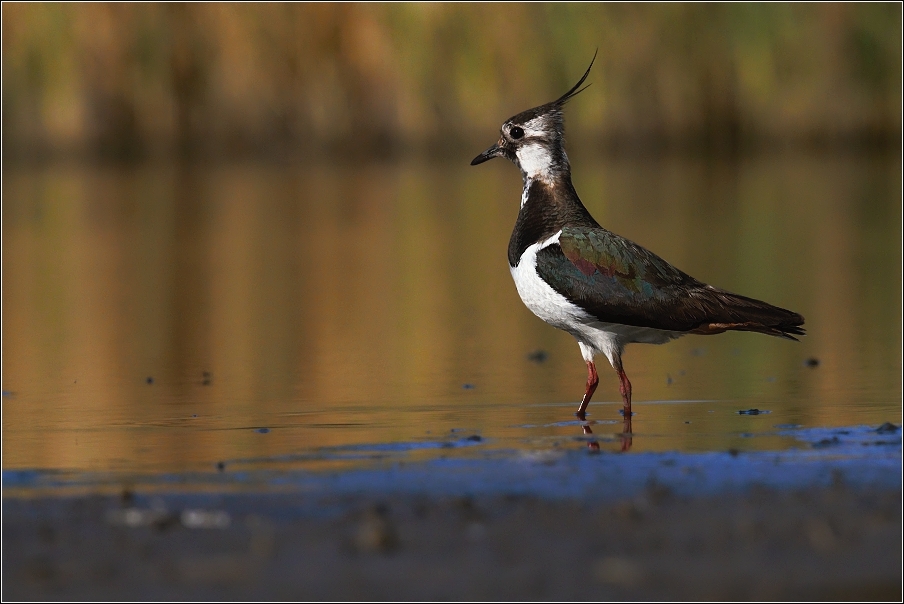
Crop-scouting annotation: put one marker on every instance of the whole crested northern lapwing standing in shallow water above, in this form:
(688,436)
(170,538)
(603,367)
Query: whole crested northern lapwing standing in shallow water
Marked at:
(603,289)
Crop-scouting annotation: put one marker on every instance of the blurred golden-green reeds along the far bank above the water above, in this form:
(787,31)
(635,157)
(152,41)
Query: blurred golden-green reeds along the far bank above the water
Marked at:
(132,81)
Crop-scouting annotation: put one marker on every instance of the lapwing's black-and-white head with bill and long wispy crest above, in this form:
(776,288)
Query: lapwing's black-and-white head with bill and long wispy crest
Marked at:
(534,139)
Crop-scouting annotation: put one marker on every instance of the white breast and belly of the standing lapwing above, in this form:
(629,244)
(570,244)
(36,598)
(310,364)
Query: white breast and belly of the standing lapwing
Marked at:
(594,336)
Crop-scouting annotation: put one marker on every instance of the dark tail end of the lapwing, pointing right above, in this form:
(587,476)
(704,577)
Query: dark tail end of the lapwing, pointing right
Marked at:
(732,312)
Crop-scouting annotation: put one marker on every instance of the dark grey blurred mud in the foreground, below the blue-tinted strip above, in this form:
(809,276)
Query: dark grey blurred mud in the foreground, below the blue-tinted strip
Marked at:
(821,543)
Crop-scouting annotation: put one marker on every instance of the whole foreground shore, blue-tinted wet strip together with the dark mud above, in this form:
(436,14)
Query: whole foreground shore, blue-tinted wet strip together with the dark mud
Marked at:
(818,523)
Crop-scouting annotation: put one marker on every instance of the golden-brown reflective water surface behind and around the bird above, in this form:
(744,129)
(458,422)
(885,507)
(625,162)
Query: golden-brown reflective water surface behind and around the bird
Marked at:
(337,305)
